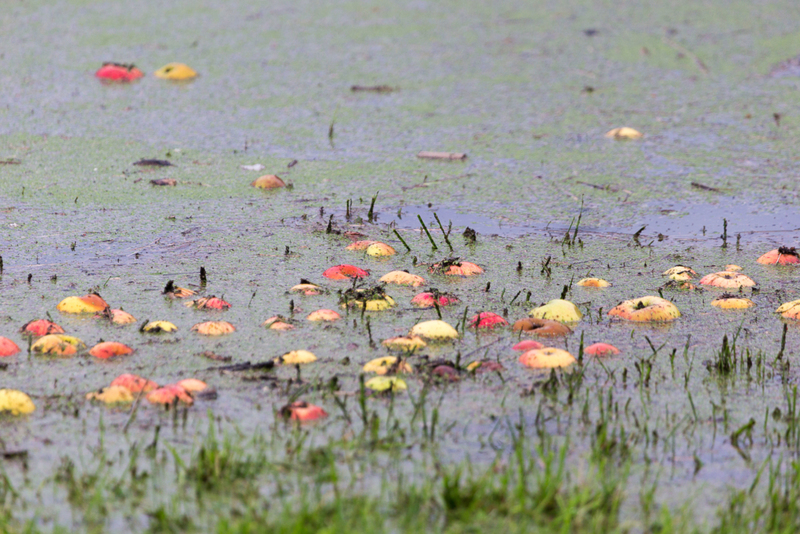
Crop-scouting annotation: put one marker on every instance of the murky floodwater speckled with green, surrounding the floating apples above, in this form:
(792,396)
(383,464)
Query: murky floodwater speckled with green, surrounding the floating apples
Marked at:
(524,88)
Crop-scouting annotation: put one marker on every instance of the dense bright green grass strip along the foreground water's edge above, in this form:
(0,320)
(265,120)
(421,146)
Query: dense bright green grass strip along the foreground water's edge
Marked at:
(533,486)
